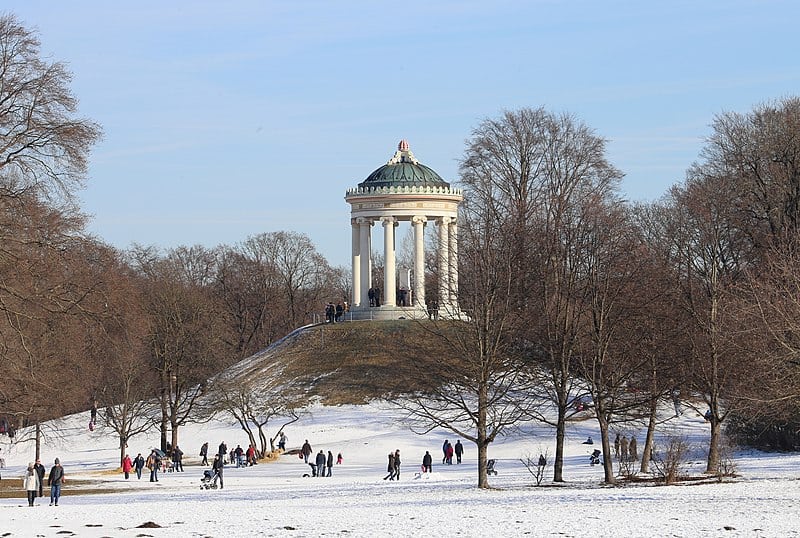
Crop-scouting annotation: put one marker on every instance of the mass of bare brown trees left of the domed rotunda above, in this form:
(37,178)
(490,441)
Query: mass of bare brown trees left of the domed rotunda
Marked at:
(135,333)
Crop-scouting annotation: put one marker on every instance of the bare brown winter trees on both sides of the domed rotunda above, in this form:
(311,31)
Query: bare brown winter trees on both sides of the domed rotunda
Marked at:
(569,292)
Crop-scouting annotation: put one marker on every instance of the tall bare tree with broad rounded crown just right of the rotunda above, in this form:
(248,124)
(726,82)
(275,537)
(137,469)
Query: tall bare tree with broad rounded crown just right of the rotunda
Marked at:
(534,169)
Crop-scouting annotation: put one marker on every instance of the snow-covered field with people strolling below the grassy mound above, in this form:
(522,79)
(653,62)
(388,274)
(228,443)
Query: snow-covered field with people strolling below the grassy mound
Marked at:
(276,500)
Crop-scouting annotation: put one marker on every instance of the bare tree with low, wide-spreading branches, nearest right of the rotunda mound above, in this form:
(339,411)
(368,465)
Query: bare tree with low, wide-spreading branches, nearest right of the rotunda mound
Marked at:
(477,387)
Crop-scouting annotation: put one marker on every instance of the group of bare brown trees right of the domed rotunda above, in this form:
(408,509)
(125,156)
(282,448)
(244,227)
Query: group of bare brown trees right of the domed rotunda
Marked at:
(573,294)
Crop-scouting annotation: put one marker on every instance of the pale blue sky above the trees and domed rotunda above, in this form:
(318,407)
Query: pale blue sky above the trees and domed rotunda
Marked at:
(228,119)
